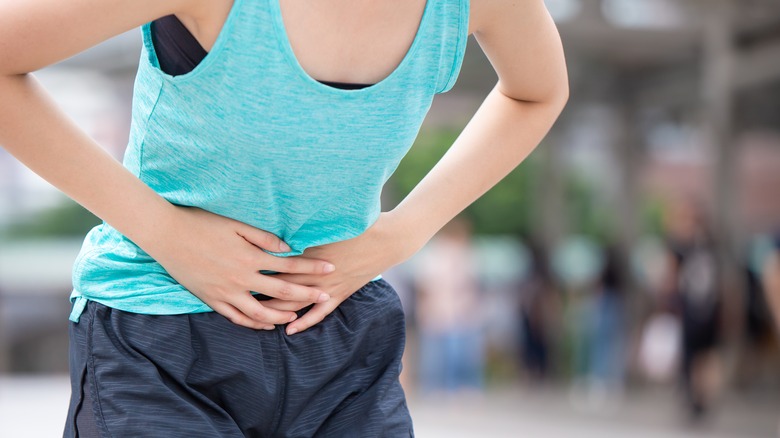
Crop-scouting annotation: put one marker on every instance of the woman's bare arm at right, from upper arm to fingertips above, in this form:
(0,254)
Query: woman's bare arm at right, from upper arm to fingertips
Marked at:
(523,45)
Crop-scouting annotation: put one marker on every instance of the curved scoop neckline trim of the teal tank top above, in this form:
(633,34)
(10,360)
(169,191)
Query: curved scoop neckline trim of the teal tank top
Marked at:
(286,46)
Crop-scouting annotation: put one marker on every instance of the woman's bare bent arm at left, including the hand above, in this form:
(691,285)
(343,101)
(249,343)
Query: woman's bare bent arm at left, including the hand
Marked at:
(216,258)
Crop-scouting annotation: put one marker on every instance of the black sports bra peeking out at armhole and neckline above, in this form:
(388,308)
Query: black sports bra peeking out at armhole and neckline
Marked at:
(178,52)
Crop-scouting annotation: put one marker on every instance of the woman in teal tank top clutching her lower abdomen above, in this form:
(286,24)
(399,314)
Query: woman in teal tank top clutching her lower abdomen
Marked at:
(249,175)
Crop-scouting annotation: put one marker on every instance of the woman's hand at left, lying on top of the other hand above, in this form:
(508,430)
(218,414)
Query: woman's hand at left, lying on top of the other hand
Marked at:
(218,259)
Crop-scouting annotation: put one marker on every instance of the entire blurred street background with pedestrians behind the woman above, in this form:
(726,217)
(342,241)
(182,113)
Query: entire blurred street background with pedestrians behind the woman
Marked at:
(618,281)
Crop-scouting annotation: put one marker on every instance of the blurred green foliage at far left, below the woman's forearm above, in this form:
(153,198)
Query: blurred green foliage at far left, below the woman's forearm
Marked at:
(66,220)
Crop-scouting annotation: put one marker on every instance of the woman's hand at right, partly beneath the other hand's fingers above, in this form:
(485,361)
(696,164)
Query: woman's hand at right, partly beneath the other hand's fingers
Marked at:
(357,260)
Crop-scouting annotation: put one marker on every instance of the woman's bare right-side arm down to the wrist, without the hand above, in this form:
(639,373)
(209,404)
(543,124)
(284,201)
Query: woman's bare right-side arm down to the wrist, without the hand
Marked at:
(522,43)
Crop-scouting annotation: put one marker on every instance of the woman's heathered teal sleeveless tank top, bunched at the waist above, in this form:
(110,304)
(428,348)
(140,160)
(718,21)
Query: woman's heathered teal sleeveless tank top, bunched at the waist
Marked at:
(249,135)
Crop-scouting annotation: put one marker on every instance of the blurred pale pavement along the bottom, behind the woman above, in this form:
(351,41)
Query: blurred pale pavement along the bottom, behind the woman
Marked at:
(32,407)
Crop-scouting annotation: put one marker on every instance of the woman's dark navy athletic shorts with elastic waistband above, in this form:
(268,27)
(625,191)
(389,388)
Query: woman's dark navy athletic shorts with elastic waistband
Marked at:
(199,375)
